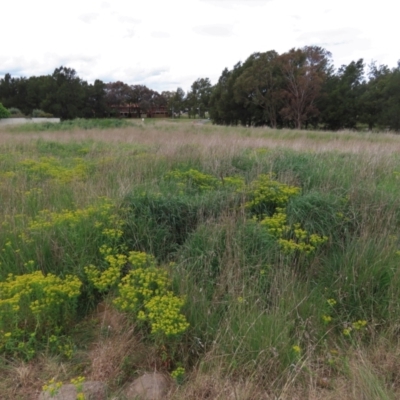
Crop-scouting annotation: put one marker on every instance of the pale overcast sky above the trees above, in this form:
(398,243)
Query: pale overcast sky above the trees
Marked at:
(166,44)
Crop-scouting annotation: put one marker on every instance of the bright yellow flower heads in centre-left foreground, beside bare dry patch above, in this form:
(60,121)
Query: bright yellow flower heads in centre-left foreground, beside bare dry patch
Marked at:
(144,292)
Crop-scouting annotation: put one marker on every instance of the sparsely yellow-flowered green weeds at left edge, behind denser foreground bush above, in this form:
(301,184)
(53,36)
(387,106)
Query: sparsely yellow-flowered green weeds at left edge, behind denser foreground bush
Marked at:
(50,240)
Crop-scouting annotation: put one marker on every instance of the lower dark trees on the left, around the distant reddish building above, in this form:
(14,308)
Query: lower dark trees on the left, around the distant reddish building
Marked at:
(65,95)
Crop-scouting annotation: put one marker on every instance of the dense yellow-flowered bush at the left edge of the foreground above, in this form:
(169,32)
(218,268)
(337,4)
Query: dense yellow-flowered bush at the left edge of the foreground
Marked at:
(33,306)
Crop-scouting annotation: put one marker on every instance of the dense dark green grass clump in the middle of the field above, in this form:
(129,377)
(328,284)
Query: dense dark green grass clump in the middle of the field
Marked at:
(160,221)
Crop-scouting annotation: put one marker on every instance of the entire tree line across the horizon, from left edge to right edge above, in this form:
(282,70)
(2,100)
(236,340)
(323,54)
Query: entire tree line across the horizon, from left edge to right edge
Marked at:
(296,89)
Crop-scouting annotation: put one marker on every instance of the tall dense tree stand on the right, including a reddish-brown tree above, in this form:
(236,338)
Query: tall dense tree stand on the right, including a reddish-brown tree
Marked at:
(301,89)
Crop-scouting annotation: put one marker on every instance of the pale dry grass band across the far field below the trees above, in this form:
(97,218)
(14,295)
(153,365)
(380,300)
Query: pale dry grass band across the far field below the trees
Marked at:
(169,136)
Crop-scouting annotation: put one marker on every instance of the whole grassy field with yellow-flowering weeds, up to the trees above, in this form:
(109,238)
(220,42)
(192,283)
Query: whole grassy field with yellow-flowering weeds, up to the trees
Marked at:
(243,263)
